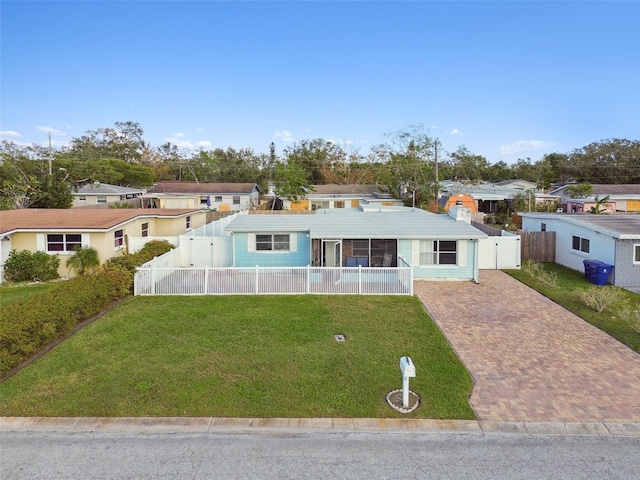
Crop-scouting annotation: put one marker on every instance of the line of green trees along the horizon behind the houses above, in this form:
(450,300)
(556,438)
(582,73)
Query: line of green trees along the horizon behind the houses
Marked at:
(408,161)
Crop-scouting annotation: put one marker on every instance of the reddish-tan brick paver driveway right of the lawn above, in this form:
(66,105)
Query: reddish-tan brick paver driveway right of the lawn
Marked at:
(532,360)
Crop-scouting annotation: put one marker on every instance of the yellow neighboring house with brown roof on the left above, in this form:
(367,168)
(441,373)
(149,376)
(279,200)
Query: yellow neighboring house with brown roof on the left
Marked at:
(109,231)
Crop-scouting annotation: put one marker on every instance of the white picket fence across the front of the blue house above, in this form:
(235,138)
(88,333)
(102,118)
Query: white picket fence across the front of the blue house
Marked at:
(159,280)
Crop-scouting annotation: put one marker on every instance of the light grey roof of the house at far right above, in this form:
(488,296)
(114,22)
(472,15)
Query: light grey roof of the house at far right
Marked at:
(617,226)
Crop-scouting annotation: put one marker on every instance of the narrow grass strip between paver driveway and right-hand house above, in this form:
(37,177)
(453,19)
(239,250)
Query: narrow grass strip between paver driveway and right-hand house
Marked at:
(570,282)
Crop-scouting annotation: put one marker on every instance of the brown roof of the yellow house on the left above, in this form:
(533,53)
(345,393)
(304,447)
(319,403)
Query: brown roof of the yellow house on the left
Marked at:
(39,219)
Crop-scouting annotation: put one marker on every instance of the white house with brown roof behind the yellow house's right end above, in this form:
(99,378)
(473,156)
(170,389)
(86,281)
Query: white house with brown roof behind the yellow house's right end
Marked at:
(223,197)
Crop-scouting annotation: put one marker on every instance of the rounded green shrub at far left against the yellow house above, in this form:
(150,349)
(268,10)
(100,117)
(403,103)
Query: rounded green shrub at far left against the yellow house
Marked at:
(25,266)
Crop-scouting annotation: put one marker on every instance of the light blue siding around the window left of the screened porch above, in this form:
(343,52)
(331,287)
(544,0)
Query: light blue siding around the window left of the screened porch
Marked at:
(246,256)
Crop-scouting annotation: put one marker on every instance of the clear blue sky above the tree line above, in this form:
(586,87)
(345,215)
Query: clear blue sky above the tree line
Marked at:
(508,80)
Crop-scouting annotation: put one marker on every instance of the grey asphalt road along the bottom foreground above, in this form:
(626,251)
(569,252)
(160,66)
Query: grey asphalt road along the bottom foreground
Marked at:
(113,455)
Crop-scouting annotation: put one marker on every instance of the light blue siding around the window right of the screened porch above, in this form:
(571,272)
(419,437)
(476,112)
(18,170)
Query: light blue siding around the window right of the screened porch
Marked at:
(464,270)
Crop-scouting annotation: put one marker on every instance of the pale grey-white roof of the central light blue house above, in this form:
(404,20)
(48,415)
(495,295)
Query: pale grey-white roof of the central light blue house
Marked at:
(398,222)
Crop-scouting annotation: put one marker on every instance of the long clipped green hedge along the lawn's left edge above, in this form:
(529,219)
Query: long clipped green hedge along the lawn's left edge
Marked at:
(30,325)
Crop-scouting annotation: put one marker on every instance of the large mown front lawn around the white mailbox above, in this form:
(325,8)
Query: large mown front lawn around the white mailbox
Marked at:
(245,356)
